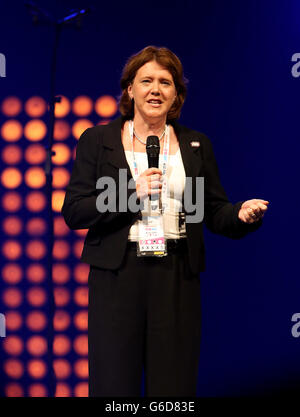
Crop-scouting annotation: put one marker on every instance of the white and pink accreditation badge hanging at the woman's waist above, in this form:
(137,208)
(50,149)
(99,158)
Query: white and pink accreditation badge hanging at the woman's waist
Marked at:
(151,237)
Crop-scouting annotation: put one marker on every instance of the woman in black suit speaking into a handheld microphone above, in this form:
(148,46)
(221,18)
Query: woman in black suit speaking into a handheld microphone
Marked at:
(144,305)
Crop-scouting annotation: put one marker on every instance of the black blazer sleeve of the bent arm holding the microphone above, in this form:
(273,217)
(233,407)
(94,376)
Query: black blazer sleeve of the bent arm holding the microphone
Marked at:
(79,209)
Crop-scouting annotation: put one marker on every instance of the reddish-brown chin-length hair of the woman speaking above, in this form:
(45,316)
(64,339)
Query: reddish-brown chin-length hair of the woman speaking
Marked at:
(166,59)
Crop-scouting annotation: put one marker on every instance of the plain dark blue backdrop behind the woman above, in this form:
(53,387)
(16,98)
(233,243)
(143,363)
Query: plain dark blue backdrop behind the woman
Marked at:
(241,93)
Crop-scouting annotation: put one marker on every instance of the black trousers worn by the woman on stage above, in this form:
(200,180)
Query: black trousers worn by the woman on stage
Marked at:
(146,315)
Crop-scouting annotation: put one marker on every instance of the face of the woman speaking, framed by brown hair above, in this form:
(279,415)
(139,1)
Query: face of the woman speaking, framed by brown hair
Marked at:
(153,91)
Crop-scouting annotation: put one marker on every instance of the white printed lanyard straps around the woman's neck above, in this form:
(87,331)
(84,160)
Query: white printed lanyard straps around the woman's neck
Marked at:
(165,156)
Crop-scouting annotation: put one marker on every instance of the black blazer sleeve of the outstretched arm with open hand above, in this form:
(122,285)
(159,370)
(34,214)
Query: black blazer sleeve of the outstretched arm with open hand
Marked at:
(220,215)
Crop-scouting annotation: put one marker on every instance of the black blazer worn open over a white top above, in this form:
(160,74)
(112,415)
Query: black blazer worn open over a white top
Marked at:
(100,153)
